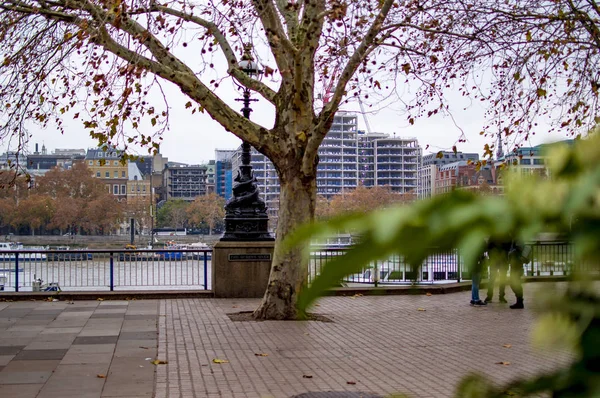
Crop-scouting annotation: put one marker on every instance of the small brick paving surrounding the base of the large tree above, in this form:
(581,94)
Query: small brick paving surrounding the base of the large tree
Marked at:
(383,344)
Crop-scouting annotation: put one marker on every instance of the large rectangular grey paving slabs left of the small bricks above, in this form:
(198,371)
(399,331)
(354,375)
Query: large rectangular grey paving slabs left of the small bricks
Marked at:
(85,349)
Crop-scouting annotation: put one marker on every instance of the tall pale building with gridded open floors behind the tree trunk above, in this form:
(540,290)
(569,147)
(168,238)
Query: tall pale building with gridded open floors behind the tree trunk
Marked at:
(348,158)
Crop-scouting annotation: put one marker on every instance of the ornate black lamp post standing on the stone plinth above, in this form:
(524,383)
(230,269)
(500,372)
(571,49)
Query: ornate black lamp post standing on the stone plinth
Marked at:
(246,216)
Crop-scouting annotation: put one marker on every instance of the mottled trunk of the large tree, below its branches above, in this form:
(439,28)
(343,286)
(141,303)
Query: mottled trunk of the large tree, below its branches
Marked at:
(289,270)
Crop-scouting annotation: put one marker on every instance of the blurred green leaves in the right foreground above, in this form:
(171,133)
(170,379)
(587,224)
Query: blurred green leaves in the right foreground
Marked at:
(567,204)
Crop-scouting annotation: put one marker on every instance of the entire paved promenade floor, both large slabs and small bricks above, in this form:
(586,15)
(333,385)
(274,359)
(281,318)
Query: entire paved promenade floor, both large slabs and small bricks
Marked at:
(418,345)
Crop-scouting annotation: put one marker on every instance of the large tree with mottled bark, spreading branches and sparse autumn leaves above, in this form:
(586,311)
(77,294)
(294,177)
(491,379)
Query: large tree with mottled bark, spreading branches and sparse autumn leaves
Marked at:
(105,57)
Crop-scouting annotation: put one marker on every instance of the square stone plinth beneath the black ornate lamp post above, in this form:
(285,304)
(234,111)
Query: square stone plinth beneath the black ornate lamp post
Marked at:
(241,269)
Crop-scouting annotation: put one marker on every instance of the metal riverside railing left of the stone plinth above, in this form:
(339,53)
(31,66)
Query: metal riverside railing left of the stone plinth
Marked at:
(92,270)
